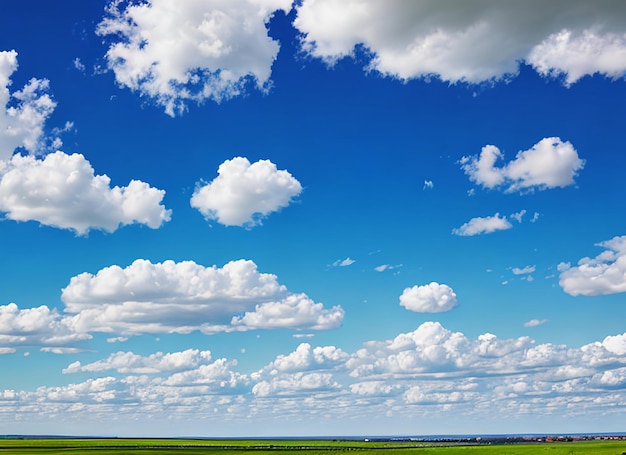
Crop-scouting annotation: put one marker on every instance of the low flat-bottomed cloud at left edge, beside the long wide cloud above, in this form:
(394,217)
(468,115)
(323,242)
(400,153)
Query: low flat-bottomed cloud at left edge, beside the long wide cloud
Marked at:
(40,326)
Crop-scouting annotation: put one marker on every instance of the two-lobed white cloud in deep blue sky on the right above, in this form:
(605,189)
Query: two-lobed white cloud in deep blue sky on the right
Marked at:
(550,163)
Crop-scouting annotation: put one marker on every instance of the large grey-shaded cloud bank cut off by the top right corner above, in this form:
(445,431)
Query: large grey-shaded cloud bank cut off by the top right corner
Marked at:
(474,42)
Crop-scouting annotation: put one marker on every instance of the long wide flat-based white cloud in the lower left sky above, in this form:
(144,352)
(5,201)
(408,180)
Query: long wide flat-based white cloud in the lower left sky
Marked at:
(184,296)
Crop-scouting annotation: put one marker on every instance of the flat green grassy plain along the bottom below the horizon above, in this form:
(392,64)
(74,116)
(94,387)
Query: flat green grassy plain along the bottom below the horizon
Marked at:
(292,447)
